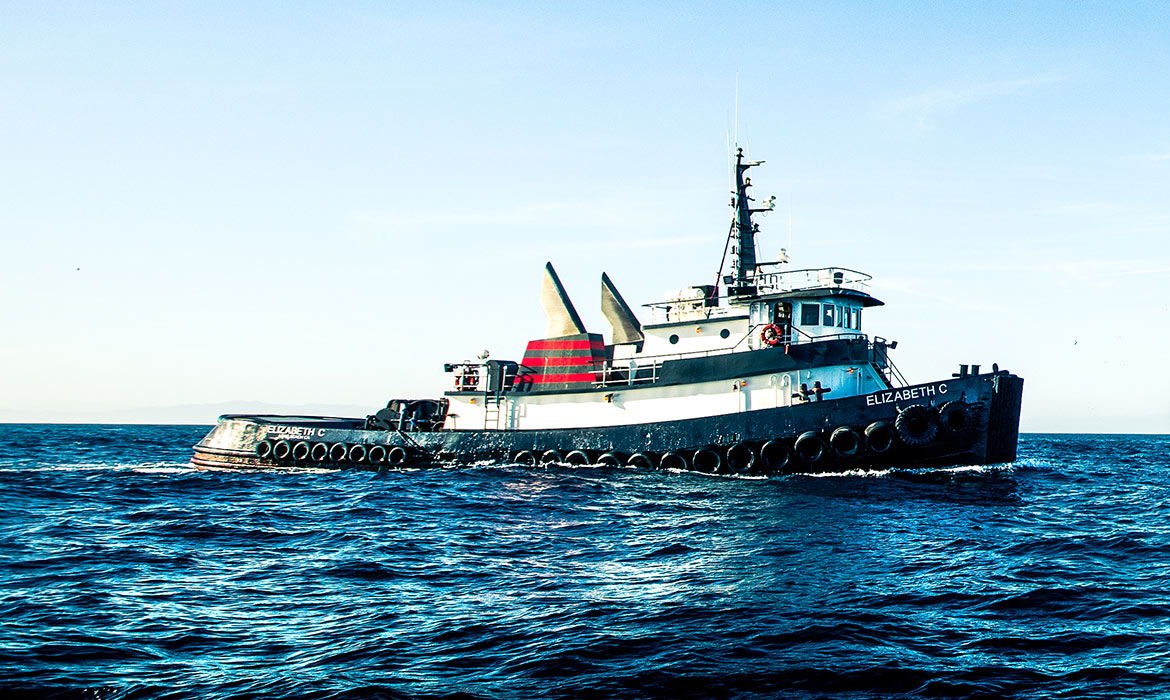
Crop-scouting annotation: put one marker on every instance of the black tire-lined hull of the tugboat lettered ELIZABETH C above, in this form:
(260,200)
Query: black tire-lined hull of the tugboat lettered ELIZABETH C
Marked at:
(986,433)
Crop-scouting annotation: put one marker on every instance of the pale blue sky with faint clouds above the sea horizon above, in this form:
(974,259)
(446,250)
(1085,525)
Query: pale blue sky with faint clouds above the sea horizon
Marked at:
(316,205)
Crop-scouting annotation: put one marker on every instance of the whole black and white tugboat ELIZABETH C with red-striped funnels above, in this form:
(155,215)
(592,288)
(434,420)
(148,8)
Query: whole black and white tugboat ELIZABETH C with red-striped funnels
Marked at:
(768,370)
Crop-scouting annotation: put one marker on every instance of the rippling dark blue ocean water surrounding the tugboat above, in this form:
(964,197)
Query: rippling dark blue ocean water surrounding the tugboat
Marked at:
(125,573)
